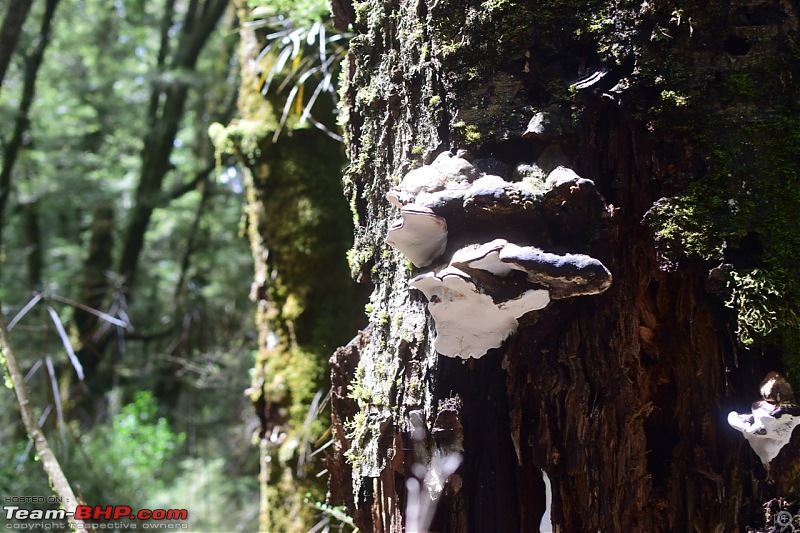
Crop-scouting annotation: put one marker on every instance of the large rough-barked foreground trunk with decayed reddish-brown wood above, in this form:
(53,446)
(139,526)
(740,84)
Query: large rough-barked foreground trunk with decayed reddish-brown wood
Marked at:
(685,119)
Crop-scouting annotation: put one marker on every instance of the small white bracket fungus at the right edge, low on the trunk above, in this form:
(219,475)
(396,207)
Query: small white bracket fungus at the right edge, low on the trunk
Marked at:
(769,425)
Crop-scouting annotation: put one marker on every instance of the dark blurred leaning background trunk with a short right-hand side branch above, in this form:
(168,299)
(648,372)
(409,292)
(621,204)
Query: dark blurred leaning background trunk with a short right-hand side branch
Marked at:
(166,113)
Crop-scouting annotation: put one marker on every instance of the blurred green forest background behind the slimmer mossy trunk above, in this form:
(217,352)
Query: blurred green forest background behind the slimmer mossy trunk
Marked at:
(126,265)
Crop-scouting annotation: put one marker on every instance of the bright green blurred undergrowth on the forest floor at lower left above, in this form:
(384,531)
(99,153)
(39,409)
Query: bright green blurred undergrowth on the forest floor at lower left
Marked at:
(135,459)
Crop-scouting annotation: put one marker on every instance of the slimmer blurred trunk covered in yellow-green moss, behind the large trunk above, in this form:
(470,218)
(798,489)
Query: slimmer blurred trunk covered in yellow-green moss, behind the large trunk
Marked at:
(307,304)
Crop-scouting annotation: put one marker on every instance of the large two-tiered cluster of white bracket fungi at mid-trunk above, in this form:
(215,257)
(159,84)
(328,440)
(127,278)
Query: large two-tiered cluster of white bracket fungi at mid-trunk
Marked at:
(457,220)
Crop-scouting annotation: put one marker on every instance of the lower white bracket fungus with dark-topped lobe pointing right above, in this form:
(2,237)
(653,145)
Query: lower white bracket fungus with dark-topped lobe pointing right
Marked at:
(469,299)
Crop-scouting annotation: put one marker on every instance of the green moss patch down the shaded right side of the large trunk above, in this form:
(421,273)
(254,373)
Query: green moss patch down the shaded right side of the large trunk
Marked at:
(740,209)
